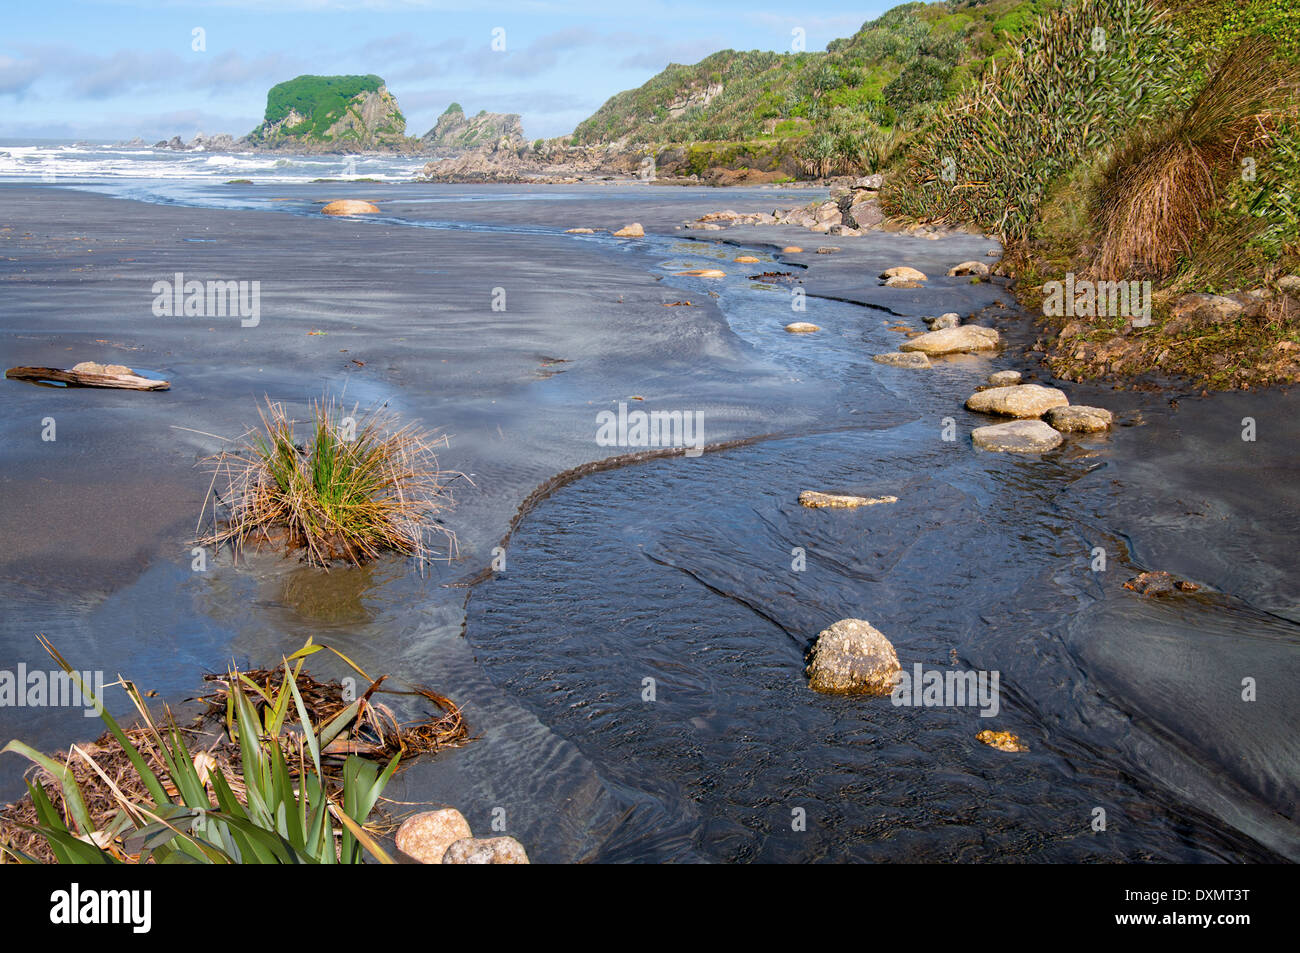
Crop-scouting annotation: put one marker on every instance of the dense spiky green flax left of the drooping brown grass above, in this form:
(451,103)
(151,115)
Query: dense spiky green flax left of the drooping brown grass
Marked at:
(991,154)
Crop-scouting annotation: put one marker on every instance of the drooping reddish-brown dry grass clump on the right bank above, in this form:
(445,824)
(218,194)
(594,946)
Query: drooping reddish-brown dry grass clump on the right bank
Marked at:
(1164,185)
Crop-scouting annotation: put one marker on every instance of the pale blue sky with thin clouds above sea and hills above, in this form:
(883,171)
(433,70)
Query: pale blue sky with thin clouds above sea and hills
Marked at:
(112,70)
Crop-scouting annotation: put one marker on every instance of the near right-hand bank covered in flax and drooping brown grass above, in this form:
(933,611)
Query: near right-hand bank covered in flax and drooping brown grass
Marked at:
(1165,149)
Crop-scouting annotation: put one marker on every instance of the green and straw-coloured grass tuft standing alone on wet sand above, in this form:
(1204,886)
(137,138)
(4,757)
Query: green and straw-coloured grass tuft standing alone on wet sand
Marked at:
(363,486)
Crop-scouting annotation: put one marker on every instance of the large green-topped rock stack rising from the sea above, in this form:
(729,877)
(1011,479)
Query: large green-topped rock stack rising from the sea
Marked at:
(344,111)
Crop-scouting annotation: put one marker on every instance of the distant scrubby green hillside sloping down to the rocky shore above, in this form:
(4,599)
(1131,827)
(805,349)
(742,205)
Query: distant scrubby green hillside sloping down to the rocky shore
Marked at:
(840,111)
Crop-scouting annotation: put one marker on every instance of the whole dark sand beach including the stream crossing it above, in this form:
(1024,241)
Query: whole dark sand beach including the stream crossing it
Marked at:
(675,569)
